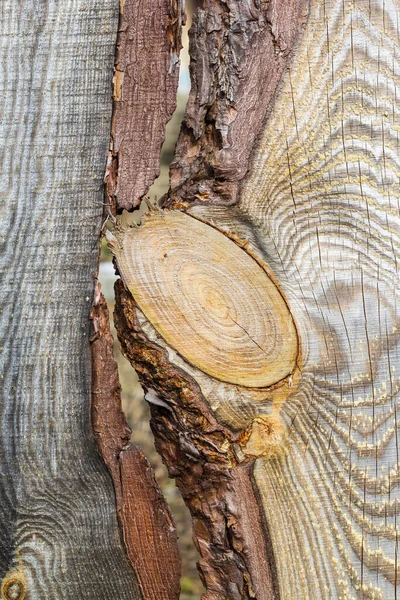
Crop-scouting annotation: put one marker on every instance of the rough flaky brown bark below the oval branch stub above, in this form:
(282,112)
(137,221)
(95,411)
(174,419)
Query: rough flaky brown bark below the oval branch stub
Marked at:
(198,452)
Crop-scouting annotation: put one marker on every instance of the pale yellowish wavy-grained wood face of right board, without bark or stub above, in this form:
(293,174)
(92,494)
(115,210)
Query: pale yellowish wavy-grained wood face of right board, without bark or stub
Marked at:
(323,197)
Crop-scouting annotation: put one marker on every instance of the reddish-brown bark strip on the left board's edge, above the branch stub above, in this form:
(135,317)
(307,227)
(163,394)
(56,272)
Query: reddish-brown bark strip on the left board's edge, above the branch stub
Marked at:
(145,86)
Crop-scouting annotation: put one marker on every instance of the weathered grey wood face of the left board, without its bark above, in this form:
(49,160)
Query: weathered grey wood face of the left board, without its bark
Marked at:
(59,536)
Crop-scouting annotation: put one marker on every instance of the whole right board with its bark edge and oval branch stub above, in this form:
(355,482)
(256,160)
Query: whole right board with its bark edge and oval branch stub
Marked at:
(290,469)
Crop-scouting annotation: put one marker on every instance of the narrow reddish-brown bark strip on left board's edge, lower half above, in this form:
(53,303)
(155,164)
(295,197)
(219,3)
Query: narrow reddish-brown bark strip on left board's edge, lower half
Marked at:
(147,524)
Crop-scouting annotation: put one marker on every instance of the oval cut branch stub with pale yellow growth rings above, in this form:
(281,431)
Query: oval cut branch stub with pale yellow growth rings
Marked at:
(208,298)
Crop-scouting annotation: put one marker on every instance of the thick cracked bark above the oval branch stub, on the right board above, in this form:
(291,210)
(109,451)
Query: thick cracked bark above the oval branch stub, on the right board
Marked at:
(239,51)
